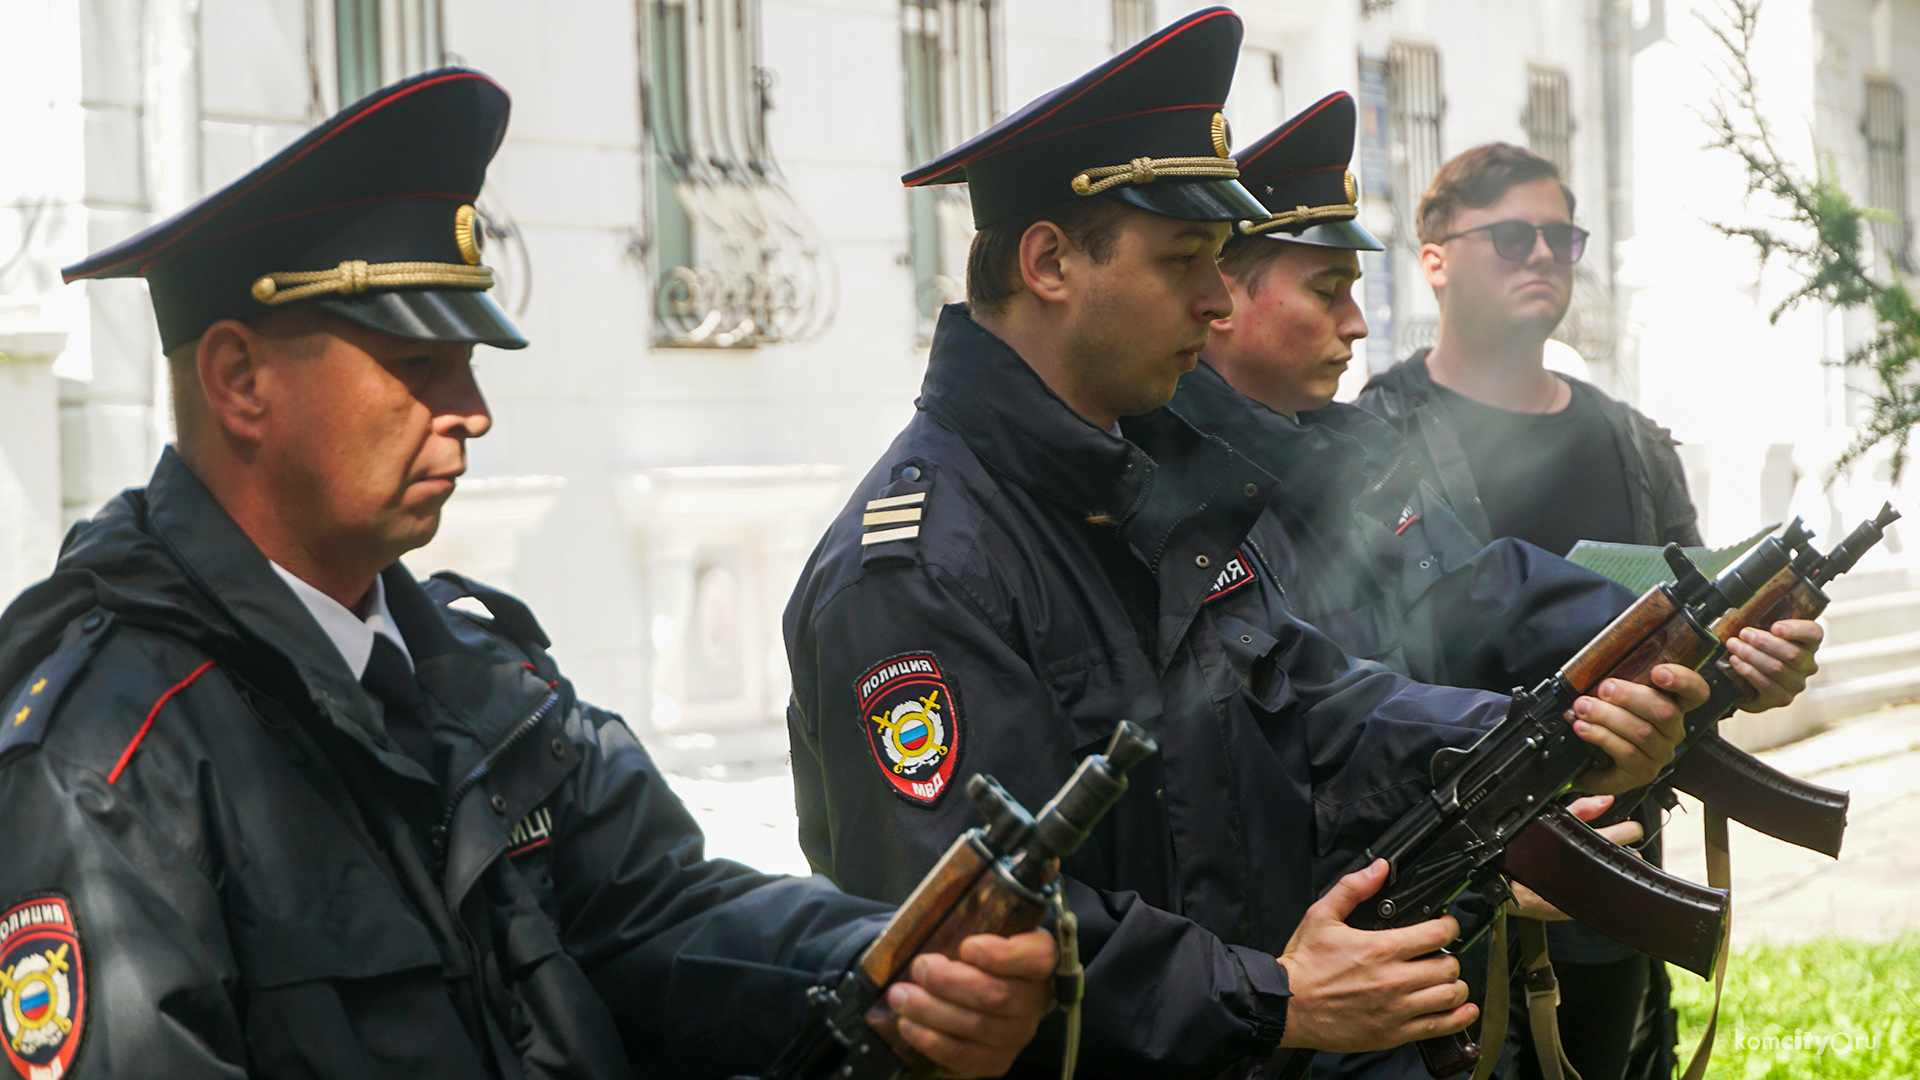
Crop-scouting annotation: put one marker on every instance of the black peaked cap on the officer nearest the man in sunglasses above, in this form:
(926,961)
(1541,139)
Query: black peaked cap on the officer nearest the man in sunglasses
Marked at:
(1301,174)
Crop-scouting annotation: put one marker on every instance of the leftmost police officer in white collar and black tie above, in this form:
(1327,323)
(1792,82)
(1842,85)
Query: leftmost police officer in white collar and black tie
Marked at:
(277,808)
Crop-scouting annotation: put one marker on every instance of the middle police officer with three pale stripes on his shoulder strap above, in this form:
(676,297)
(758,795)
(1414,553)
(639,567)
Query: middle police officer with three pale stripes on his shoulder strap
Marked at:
(1045,551)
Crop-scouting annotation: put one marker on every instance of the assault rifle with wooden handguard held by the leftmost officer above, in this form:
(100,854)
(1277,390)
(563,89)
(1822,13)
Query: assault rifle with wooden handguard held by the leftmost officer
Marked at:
(997,879)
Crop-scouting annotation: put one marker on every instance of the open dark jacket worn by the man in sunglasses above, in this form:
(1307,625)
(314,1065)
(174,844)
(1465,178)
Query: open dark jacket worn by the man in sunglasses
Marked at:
(1656,481)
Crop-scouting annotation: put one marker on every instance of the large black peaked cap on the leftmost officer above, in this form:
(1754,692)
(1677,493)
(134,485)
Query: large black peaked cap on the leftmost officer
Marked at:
(370,216)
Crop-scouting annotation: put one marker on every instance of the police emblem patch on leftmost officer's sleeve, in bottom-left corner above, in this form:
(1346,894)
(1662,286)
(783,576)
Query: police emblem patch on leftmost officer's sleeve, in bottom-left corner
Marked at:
(43,987)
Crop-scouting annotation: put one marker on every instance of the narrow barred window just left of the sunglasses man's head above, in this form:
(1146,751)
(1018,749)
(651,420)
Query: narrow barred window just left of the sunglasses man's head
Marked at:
(1414,112)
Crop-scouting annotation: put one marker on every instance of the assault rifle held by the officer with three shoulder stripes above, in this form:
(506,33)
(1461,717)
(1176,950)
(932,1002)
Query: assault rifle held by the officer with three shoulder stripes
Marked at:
(1491,793)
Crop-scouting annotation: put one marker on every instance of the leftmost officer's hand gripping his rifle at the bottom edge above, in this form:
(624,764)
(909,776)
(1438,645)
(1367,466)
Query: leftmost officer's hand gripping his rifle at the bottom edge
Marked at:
(972,1016)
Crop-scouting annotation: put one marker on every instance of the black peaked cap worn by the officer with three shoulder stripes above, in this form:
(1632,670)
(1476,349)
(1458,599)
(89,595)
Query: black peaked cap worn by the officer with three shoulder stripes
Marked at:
(1143,128)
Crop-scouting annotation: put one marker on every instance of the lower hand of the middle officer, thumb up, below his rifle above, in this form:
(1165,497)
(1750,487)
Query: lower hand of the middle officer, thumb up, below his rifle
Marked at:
(1370,989)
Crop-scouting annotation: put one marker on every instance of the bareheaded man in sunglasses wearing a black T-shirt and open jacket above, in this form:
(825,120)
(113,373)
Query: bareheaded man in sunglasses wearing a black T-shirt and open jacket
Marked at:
(1524,453)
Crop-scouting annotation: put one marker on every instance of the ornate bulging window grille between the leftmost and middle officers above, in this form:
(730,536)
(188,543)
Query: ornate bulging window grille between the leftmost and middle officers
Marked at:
(736,262)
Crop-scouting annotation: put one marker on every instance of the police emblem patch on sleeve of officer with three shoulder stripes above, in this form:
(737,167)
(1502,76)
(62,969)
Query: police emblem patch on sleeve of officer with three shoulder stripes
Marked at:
(913,722)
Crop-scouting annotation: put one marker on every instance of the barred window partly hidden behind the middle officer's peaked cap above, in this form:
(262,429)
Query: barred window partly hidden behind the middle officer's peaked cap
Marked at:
(949,99)
